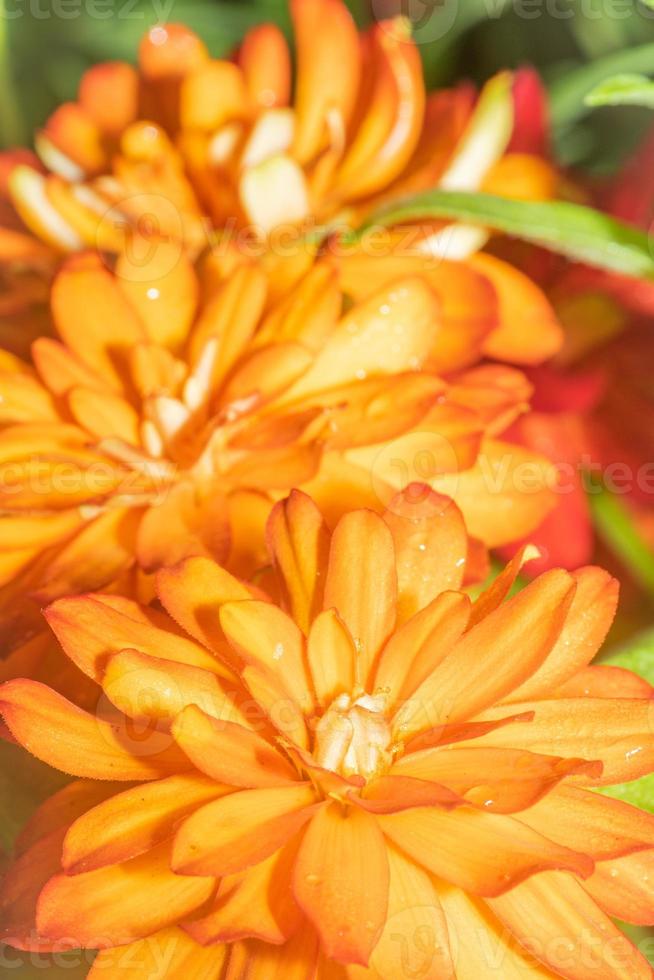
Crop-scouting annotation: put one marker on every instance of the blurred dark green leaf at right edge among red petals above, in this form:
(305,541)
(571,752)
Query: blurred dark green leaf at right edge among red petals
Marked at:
(615,526)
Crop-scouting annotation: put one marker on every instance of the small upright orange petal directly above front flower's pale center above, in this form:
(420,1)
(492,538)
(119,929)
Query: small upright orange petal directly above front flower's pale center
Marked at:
(332,654)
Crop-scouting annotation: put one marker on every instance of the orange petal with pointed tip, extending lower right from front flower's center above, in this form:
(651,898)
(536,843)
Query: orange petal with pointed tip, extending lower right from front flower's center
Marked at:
(484,853)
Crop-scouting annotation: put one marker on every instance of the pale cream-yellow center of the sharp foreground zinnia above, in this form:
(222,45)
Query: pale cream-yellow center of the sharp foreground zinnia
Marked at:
(353,737)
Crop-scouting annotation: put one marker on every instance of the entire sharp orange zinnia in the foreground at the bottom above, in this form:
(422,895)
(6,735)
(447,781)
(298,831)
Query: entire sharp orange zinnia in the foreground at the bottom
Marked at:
(368,750)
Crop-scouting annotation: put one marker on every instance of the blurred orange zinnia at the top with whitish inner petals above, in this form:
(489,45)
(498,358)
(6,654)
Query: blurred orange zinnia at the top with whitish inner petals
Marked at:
(190,147)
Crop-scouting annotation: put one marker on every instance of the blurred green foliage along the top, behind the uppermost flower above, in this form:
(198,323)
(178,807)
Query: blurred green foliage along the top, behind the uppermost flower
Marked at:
(45,45)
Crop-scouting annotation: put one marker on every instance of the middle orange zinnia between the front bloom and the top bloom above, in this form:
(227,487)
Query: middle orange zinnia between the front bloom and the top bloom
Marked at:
(167,418)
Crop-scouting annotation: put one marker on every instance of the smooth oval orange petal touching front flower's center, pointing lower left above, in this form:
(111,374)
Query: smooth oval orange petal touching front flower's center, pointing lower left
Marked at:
(241,829)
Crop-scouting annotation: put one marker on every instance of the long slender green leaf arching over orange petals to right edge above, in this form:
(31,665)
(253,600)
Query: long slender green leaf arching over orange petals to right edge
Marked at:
(580,233)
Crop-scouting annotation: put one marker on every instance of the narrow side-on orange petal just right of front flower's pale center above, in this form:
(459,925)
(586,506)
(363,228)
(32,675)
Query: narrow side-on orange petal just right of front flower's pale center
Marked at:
(501,780)
